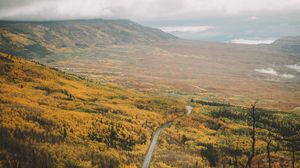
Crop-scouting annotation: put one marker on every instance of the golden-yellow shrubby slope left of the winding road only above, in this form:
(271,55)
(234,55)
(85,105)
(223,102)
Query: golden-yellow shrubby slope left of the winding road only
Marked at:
(60,119)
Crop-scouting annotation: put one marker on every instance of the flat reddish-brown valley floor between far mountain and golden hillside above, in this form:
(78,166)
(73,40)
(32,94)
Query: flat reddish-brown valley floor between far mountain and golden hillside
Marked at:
(215,72)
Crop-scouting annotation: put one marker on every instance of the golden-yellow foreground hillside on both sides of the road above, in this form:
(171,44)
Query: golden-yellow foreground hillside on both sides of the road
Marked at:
(52,119)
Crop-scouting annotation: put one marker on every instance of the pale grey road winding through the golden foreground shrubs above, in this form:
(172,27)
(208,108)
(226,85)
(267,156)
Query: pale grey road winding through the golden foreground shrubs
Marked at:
(147,160)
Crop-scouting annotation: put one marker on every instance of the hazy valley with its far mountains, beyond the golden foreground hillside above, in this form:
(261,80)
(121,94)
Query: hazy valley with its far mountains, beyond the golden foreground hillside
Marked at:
(148,59)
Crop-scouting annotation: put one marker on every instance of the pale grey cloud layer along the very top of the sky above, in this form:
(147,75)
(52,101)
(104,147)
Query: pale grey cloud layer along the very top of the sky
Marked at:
(137,9)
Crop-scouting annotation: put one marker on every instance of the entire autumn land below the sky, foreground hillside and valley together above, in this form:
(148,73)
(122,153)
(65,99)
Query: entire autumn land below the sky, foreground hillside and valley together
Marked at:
(101,93)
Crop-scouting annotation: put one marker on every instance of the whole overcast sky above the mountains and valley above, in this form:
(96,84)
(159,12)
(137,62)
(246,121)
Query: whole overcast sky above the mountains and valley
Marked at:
(237,21)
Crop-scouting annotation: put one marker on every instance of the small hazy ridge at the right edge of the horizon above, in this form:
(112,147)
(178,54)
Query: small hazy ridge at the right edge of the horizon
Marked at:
(288,44)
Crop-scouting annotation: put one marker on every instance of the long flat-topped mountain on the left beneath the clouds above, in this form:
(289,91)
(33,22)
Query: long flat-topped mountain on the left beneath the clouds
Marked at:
(40,38)
